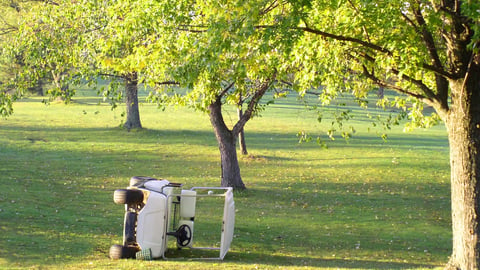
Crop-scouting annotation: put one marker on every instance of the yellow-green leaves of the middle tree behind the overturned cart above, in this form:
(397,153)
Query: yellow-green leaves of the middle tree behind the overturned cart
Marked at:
(216,44)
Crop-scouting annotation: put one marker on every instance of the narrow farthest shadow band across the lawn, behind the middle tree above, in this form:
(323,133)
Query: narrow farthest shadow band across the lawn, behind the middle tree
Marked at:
(255,140)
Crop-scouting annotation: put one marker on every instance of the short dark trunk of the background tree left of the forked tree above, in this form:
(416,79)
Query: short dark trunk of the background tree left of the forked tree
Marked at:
(131,100)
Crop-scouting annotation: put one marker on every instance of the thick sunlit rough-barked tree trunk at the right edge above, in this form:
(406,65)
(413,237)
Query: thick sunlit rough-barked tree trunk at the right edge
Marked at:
(463,125)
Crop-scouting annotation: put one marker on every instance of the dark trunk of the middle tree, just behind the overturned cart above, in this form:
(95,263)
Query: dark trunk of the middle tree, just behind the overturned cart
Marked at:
(227,144)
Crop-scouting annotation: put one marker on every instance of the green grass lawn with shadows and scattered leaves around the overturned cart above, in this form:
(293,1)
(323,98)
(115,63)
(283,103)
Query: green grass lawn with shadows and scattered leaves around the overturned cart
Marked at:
(365,204)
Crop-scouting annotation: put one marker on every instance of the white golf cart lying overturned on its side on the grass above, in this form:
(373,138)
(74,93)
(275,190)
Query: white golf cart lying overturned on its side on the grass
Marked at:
(158,213)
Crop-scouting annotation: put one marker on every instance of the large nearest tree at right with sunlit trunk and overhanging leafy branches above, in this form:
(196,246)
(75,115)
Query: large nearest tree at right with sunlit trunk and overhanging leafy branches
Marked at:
(425,49)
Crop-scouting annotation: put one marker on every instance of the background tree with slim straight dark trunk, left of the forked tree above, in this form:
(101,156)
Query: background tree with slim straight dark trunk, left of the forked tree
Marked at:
(115,40)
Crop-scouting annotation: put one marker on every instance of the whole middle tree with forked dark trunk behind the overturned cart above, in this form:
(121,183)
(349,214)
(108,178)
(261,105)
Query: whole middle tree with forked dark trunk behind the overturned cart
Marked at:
(213,51)
